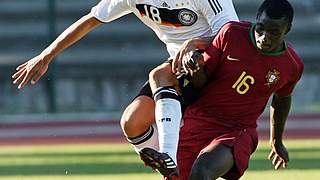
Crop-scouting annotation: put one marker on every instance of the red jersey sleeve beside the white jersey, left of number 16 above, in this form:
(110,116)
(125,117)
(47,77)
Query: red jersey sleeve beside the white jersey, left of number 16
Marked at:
(213,55)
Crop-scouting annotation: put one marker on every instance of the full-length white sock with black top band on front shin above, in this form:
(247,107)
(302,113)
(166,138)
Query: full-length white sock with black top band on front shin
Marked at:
(168,117)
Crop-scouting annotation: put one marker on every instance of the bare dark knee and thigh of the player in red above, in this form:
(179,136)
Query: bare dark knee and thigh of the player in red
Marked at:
(214,161)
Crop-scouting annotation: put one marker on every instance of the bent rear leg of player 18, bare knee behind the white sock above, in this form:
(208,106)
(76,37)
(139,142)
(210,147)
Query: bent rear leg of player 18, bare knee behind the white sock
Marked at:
(137,121)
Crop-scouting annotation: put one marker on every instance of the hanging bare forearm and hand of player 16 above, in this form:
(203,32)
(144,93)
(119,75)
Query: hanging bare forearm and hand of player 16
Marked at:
(278,115)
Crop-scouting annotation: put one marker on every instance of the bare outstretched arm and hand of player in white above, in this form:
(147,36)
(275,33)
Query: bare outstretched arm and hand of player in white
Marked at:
(35,68)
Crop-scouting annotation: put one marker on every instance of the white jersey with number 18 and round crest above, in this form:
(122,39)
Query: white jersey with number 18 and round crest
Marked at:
(173,21)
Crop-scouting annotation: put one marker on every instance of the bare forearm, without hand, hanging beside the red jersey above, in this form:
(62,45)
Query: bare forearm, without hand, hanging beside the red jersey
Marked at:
(279,111)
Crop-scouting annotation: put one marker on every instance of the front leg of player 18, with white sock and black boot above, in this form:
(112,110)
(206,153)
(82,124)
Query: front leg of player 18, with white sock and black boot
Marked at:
(165,80)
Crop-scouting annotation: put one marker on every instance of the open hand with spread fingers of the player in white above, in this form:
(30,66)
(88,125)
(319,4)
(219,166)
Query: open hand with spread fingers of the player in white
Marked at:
(31,70)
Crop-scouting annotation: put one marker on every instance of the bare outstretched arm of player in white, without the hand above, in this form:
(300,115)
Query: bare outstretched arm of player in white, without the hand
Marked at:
(71,35)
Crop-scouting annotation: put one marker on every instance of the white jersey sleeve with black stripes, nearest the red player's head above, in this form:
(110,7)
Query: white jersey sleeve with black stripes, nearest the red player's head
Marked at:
(217,12)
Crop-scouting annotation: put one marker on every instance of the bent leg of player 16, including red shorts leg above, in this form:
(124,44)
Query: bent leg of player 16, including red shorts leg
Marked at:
(226,156)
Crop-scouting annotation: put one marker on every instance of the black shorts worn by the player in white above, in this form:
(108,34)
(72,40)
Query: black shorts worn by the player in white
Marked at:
(189,93)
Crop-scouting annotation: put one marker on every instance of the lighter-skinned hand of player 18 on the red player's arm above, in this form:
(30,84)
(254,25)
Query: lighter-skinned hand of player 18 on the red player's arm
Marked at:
(186,47)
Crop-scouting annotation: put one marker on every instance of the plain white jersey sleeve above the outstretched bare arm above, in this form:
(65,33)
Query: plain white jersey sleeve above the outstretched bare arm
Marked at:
(109,10)
